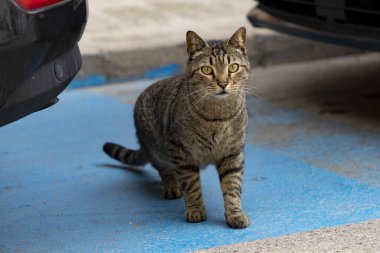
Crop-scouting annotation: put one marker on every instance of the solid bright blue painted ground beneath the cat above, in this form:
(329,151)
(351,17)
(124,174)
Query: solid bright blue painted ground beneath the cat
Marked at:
(60,193)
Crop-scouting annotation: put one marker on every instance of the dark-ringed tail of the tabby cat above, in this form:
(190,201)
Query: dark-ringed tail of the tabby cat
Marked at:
(125,155)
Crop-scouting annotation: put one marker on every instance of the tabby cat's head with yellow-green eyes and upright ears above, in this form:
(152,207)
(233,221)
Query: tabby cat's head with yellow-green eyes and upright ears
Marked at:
(220,68)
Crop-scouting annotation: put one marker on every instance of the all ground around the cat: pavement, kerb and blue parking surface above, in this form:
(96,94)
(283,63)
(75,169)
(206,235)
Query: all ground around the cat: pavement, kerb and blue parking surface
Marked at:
(312,168)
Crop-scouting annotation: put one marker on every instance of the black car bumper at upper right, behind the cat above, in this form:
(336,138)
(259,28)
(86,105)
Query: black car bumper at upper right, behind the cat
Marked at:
(354,23)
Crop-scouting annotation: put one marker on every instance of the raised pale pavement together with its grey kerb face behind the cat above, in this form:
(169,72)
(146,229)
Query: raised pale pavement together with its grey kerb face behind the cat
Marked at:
(129,40)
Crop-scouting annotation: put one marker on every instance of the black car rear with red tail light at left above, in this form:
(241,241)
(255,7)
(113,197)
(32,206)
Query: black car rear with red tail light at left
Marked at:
(39,53)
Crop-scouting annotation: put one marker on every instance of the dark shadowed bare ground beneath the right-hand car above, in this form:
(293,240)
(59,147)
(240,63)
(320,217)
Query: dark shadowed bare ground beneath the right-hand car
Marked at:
(344,89)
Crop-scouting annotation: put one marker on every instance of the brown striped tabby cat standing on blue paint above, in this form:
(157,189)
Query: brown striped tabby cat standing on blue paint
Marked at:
(198,118)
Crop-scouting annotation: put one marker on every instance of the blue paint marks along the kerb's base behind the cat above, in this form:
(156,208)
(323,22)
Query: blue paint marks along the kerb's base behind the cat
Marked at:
(98,79)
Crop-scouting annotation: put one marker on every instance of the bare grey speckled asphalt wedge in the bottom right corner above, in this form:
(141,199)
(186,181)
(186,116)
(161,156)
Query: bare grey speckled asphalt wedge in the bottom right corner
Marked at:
(357,237)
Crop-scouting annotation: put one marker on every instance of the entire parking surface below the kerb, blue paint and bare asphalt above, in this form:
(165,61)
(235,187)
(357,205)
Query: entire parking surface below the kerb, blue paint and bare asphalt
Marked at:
(312,171)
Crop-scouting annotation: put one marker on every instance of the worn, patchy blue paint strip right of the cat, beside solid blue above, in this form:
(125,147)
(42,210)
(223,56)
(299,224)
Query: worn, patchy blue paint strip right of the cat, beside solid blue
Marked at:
(351,150)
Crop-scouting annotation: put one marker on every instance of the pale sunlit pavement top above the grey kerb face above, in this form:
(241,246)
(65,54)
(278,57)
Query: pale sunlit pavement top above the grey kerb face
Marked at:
(125,25)
